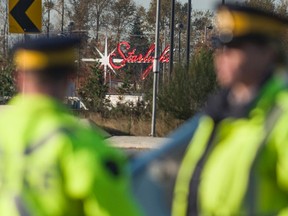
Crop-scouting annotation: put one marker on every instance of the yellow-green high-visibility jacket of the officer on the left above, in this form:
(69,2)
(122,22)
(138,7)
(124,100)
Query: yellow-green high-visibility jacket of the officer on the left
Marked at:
(51,164)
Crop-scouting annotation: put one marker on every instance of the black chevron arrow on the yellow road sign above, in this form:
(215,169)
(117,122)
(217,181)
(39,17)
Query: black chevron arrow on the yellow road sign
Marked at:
(19,14)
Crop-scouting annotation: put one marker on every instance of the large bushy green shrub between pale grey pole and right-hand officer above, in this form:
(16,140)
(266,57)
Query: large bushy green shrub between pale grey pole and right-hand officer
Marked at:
(186,93)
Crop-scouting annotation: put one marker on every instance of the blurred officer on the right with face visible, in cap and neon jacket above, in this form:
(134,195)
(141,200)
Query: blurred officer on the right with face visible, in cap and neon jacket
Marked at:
(237,160)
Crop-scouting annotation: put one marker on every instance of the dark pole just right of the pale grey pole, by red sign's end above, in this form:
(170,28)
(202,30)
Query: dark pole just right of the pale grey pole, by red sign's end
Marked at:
(172,24)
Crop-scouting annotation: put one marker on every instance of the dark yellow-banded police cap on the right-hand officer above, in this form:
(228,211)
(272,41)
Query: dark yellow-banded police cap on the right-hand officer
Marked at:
(238,23)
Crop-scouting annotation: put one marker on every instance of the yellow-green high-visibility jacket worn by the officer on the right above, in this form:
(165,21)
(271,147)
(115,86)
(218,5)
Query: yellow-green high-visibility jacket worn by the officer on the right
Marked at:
(244,168)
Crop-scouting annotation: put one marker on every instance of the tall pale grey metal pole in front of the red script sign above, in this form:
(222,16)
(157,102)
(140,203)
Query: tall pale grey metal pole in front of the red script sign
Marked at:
(156,68)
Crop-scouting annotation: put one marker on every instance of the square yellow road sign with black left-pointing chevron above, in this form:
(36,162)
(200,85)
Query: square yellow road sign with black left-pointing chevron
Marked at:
(25,16)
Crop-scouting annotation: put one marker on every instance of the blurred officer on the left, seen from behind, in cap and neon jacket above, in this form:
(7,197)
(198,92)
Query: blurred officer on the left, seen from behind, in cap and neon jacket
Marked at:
(50,164)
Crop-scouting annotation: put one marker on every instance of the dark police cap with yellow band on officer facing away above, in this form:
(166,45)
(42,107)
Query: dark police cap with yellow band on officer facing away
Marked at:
(46,54)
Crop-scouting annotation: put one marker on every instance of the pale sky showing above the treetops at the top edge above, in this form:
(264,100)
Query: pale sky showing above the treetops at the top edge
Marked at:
(196,4)
